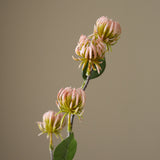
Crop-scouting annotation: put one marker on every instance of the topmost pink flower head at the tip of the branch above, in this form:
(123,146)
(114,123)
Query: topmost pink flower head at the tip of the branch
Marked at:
(108,30)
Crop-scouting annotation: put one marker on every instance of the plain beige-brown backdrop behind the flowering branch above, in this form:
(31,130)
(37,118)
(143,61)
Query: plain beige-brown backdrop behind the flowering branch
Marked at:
(122,114)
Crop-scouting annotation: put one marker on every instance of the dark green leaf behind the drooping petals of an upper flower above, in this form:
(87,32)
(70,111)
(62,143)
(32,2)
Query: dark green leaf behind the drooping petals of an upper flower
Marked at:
(94,74)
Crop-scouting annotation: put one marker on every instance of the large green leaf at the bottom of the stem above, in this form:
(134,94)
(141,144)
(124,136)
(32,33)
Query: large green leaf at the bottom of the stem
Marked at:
(66,149)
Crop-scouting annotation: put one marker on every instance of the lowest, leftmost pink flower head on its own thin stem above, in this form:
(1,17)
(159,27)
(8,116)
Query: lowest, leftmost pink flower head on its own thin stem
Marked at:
(52,123)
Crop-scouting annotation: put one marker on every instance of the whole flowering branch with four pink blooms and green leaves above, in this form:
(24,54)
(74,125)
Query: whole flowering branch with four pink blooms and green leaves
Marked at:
(90,51)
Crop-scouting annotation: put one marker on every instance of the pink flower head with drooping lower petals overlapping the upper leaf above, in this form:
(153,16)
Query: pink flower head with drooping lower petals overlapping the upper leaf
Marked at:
(91,51)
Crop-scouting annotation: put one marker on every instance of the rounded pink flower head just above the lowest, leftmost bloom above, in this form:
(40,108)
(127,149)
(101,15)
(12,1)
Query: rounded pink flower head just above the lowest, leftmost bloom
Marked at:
(71,100)
